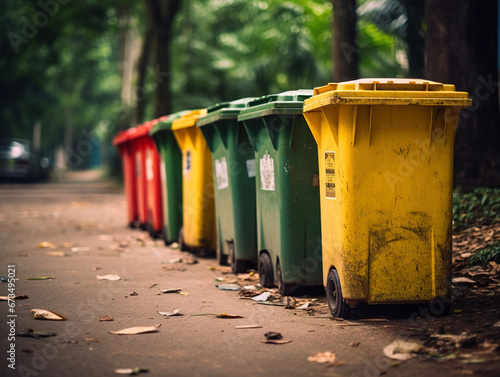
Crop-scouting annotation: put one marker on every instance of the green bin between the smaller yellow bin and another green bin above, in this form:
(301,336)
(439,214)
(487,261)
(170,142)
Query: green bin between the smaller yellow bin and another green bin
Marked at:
(234,177)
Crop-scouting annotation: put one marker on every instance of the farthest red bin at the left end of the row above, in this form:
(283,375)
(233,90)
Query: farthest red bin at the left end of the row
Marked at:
(124,145)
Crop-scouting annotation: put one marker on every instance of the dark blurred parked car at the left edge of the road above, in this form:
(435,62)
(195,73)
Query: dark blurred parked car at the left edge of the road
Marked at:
(18,161)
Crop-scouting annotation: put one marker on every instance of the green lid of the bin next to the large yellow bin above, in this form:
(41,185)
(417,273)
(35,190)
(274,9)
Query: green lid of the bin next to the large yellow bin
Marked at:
(286,103)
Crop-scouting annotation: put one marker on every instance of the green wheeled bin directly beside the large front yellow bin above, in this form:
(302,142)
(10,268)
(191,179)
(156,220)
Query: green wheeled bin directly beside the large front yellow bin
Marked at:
(287,191)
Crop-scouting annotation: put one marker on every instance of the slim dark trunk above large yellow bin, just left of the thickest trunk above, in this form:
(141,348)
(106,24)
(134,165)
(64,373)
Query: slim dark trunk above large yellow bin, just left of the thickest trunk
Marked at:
(415,36)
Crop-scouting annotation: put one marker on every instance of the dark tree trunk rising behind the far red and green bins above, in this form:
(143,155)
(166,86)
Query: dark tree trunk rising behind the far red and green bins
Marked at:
(161,15)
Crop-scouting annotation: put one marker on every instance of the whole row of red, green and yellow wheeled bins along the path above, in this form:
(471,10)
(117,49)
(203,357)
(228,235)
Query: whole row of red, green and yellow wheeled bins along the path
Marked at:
(348,186)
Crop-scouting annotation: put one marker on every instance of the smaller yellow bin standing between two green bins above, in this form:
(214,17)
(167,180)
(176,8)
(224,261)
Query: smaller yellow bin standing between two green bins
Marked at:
(198,209)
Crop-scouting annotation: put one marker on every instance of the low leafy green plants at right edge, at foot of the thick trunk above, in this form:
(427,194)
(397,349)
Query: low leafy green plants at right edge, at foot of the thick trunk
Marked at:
(479,207)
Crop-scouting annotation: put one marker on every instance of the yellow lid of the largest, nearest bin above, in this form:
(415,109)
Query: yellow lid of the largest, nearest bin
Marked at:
(386,91)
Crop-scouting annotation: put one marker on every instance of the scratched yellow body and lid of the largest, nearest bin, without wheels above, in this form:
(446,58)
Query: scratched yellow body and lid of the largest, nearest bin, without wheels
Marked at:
(386,214)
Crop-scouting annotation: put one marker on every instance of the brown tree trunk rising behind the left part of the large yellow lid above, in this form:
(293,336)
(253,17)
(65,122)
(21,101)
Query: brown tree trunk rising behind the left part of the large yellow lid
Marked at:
(345,48)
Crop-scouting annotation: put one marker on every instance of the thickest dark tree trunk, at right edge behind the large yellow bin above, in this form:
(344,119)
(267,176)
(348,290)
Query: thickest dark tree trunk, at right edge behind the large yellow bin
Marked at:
(461,49)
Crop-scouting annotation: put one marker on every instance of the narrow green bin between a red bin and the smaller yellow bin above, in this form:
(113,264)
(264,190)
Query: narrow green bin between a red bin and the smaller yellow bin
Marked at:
(171,176)
